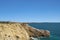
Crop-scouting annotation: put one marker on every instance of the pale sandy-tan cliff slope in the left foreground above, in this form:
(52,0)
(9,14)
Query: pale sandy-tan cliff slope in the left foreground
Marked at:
(13,31)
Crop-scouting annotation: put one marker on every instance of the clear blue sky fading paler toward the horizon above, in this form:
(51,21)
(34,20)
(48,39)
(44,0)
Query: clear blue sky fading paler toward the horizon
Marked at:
(30,10)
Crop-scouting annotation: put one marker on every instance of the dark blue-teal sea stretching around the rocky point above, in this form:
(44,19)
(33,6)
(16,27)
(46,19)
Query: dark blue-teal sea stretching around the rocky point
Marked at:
(54,29)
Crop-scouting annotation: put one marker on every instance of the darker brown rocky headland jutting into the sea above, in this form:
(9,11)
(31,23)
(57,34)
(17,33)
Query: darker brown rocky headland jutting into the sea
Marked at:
(33,32)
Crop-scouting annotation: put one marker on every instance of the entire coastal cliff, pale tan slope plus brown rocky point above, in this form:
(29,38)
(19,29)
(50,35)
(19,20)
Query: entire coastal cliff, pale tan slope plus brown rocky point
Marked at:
(20,31)
